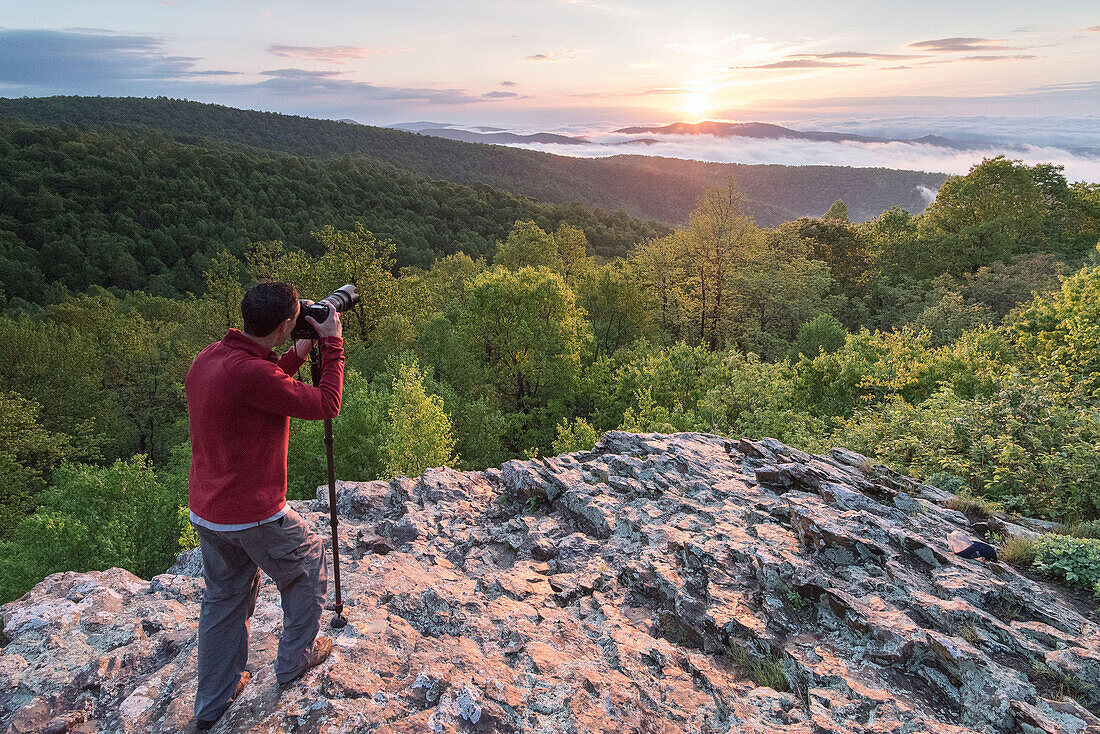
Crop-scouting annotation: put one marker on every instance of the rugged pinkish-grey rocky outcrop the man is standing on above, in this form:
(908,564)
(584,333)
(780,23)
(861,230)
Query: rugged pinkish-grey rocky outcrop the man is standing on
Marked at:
(656,585)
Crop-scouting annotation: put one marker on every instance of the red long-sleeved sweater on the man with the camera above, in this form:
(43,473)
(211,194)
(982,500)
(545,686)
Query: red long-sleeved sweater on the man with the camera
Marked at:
(240,401)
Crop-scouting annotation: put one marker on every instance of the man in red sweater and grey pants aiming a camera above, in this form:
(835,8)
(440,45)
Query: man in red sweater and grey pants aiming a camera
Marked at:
(240,401)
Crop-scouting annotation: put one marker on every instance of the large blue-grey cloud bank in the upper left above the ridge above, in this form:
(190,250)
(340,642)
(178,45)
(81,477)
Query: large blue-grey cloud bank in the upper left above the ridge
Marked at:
(53,60)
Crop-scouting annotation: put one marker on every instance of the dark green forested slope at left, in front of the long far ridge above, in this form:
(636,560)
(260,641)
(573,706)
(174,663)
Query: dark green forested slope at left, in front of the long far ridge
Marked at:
(135,210)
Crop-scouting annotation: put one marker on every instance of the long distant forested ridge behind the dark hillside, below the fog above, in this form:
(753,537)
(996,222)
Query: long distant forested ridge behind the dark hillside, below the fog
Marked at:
(666,190)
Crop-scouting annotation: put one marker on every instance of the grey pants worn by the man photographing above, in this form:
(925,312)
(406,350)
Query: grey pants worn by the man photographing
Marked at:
(294,557)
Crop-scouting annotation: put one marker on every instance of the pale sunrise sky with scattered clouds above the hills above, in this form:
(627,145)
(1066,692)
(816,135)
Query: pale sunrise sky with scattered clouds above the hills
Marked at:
(1028,72)
